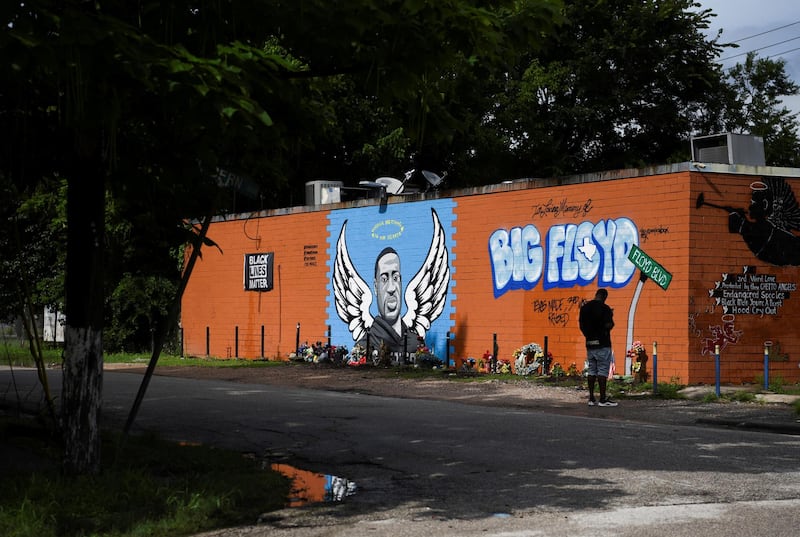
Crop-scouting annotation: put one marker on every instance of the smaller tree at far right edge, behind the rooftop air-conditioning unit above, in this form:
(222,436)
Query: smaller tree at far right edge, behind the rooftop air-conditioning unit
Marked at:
(753,106)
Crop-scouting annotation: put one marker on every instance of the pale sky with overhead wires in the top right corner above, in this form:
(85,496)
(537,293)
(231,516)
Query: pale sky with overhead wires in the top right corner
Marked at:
(778,22)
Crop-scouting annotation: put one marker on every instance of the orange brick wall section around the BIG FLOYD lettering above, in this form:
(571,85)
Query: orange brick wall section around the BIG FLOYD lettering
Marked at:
(658,207)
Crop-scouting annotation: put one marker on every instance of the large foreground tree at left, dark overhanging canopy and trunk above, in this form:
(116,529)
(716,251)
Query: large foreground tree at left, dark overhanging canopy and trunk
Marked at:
(147,102)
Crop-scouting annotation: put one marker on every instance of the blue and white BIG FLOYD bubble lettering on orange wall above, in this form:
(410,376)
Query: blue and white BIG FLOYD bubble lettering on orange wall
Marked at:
(576,255)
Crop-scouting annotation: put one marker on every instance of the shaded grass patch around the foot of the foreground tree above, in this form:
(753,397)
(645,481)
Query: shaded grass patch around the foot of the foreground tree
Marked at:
(147,486)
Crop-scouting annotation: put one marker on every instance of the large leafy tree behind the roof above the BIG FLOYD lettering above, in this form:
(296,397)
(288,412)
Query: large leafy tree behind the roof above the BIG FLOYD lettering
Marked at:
(617,83)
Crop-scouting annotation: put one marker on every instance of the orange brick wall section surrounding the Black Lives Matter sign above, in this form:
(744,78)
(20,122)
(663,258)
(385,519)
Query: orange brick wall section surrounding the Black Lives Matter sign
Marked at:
(215,296)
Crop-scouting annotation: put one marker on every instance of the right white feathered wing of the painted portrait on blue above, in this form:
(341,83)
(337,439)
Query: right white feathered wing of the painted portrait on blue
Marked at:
(426,292)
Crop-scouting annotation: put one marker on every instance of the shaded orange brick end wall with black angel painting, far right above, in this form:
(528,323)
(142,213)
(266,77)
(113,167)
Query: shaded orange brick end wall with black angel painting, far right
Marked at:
(740,335)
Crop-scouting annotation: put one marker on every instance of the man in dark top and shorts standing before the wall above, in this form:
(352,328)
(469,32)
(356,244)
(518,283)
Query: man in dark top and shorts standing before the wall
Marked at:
(596,321)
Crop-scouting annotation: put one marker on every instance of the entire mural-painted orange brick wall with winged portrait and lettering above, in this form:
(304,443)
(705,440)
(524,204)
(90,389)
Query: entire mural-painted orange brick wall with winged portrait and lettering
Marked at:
(697,260)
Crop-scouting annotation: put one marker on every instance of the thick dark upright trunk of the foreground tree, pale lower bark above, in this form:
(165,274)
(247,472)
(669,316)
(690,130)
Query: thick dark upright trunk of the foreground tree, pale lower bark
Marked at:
(81,395)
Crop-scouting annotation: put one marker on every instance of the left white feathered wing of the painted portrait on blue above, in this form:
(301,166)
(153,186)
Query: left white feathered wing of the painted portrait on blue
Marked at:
(353,295)
